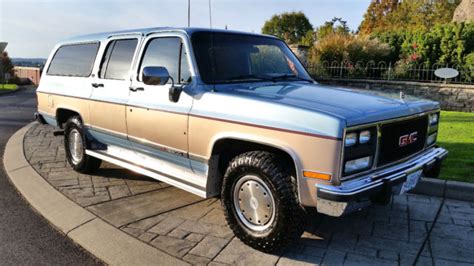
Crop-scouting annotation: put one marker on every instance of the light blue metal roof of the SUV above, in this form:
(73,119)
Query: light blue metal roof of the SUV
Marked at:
(146,31)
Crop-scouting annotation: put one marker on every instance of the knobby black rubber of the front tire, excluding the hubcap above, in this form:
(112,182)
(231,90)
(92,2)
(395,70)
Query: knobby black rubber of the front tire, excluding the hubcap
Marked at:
(289,216)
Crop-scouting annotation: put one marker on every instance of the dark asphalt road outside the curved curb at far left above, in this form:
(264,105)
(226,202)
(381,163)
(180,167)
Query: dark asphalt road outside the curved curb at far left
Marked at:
(25,237)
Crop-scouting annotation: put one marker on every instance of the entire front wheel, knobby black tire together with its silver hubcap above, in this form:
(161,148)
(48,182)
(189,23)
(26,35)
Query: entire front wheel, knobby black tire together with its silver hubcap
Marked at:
(261,202)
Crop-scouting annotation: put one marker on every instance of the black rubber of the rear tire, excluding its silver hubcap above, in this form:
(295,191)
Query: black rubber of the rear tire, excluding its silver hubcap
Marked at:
(86,164)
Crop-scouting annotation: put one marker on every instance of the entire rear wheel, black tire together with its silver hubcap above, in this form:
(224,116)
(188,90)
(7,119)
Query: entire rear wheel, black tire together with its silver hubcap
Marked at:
(75,146)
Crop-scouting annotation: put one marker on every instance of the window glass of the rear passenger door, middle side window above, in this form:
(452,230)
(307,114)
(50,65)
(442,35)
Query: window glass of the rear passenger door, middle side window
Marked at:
(118,59)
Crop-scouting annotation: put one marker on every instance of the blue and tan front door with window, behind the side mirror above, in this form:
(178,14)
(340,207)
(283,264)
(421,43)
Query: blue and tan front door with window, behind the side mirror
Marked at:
(156,126)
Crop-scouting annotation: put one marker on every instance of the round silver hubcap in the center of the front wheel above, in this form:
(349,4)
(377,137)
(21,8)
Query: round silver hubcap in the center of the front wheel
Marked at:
(254,203)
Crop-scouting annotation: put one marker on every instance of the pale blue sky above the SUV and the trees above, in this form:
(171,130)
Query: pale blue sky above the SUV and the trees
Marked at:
(32,27)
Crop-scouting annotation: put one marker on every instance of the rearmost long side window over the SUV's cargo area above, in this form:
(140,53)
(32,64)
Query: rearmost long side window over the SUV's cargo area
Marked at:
(74,60)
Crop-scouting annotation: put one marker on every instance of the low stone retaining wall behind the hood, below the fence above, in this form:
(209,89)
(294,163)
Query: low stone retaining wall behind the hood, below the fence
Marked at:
(452,97)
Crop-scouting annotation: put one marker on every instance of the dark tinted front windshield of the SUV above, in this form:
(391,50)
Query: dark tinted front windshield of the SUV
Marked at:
(230,57)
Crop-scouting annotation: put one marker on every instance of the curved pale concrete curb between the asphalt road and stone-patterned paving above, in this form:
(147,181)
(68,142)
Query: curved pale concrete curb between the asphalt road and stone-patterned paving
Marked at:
(101,239)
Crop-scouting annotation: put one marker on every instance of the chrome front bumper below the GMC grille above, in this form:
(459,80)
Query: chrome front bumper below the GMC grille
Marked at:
(355,194)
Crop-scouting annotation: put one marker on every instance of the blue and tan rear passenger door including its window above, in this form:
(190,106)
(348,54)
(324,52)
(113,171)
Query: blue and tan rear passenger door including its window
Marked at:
(111,91)
